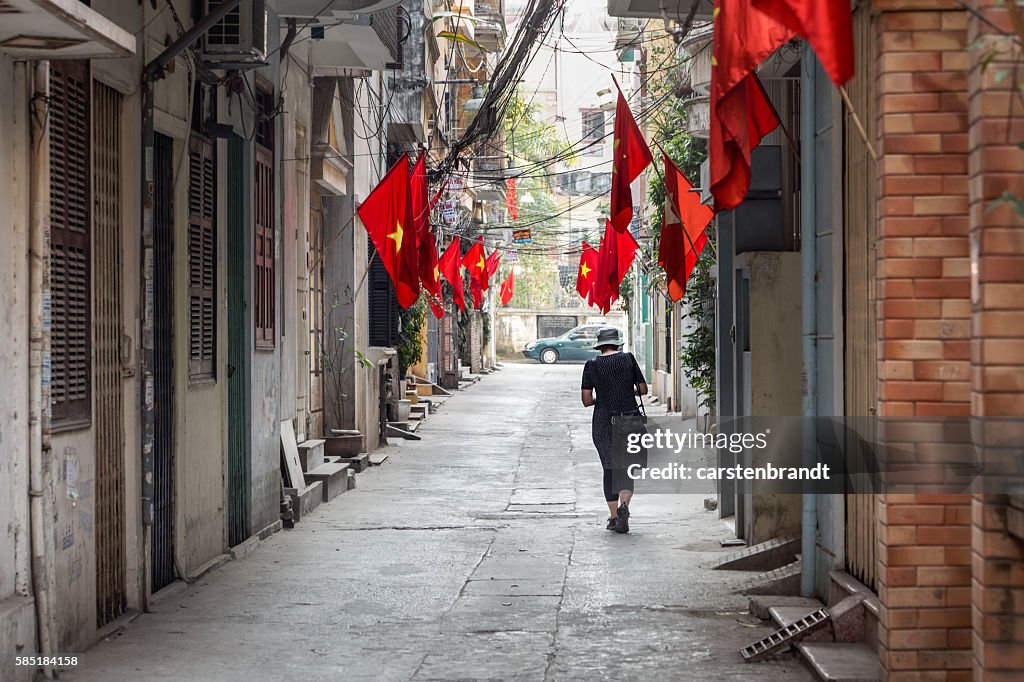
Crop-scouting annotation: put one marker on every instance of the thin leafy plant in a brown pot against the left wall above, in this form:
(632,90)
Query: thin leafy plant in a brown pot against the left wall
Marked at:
(337,359)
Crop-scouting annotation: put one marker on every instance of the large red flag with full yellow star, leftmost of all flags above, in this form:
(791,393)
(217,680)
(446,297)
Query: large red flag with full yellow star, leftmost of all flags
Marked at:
(387,215)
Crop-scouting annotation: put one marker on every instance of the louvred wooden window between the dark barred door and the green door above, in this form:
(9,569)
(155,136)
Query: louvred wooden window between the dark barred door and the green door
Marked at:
(202,261)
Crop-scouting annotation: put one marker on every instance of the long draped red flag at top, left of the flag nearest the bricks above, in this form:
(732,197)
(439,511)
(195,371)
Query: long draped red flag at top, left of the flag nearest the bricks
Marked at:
(741,112)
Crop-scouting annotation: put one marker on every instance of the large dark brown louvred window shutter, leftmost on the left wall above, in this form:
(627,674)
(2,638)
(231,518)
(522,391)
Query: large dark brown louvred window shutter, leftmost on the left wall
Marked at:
(71,389)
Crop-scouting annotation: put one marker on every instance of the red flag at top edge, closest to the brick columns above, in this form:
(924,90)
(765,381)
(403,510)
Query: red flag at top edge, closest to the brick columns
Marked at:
(827,25)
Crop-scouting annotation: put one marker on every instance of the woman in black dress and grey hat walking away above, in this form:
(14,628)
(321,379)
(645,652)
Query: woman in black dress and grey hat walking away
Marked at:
(618,380)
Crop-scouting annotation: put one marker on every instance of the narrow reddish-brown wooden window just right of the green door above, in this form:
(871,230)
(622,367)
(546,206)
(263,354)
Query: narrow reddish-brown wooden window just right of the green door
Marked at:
(264,210)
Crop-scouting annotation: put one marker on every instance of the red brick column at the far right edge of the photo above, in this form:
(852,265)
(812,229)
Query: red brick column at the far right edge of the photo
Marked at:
(997,127)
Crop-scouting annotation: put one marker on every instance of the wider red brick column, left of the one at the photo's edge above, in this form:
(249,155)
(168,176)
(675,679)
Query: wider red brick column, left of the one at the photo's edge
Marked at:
(924,551)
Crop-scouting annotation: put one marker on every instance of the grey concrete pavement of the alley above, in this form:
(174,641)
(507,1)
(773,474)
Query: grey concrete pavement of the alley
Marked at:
(477,553)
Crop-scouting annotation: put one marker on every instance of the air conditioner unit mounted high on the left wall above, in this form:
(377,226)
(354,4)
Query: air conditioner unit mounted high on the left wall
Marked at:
(239,40)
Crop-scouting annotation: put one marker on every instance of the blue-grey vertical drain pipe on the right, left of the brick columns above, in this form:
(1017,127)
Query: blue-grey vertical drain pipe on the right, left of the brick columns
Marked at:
(808,270)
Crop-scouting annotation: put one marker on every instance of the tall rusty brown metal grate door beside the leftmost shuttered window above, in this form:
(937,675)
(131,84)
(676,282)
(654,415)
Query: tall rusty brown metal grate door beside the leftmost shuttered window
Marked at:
(110,515)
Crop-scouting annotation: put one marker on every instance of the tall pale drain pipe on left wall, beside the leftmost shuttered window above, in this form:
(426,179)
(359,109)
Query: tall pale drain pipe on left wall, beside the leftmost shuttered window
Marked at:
(40,475)
